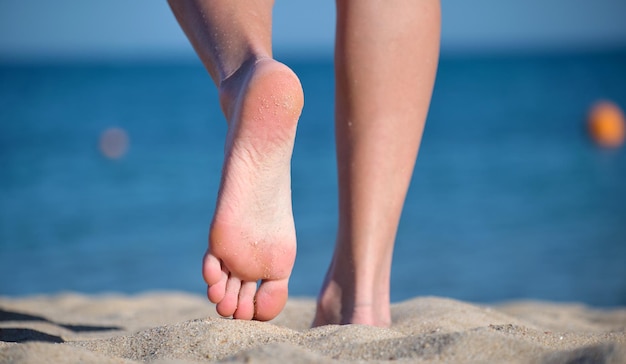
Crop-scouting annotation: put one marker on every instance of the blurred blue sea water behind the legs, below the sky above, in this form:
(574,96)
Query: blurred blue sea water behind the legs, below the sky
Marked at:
(509,198)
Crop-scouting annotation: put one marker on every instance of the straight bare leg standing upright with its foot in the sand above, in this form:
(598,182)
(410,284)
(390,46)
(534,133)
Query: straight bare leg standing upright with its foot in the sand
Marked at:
(385,58)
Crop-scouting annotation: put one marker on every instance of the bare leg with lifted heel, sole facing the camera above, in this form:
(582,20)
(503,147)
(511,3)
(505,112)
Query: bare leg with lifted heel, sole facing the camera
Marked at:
(252,235)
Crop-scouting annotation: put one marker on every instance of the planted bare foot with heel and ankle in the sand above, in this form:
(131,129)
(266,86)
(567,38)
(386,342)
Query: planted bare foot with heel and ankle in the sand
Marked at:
(349,297)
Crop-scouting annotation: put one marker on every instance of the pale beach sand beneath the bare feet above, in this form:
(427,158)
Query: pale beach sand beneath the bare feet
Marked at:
(171,327)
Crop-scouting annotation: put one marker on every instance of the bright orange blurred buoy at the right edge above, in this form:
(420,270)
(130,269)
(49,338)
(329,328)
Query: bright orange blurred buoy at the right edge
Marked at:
(606,124)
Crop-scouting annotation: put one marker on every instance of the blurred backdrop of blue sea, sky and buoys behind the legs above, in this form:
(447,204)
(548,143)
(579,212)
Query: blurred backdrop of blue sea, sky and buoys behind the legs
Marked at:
(111,144)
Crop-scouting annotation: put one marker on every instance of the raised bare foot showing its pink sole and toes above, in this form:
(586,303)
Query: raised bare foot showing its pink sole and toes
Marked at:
(252,236)
